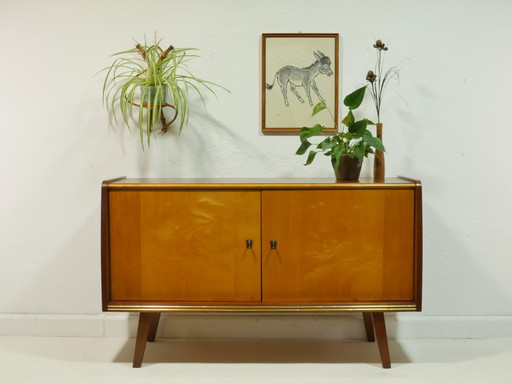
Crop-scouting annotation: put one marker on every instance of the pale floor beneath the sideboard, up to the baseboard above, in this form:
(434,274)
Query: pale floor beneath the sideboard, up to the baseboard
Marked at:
(41,360)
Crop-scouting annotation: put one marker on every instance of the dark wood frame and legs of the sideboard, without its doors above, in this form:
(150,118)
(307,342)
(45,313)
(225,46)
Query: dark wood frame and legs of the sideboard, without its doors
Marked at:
(373,312)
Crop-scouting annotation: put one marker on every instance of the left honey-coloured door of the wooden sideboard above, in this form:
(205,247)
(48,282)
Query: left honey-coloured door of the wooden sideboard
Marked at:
(185,245)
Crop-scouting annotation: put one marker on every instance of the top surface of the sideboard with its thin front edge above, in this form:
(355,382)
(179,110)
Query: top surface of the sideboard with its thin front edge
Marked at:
(258,183)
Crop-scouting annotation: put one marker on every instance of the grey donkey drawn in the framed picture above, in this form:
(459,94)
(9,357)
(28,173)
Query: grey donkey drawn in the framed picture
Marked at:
(302,77)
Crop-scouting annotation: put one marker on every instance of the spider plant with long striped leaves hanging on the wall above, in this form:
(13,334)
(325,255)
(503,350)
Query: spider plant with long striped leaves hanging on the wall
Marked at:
(149,81)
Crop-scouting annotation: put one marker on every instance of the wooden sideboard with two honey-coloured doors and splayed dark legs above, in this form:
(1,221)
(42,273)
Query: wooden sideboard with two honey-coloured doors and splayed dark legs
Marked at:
(261,245)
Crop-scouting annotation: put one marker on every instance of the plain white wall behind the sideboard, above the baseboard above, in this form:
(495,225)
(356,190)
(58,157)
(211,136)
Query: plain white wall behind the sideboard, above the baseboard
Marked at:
(446,123)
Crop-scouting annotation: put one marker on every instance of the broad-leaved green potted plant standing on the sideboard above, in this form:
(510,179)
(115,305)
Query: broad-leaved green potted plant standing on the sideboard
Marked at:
(349,146)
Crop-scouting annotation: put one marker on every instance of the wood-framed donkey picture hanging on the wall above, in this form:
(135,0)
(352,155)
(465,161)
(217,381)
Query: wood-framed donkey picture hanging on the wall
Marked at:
(299,70)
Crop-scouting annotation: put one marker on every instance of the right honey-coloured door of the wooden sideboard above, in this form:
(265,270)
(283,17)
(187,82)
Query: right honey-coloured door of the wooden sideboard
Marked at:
(338,245)
